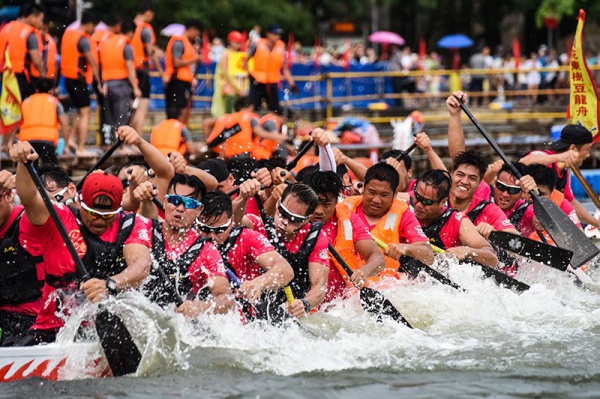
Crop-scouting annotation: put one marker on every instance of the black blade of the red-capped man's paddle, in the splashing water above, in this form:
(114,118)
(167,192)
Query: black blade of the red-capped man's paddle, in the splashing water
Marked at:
(121,352)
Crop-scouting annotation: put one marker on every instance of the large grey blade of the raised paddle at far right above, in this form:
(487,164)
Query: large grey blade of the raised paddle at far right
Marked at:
(564,232)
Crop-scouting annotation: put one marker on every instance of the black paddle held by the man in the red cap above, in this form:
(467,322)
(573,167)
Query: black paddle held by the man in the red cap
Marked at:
(120,350)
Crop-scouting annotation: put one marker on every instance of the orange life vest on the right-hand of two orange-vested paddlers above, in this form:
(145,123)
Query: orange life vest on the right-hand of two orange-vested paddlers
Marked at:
(387,228)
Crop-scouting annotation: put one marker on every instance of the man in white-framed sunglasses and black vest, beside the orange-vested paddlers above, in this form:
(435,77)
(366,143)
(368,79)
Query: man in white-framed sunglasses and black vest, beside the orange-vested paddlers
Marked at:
(300,242)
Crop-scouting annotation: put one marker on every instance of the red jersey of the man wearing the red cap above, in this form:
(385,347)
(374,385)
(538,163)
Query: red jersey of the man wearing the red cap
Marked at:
(58,261)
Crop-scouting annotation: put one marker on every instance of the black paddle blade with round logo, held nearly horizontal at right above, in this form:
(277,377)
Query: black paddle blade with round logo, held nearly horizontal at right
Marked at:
(549,255)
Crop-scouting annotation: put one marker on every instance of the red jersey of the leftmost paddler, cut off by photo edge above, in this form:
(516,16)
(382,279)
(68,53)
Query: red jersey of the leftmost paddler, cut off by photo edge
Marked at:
(35,249)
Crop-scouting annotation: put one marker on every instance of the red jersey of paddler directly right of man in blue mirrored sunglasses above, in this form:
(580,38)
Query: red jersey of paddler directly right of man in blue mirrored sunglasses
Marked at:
(242,256)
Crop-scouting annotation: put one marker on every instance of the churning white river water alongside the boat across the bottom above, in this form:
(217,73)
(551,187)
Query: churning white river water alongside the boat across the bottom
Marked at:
(486,342)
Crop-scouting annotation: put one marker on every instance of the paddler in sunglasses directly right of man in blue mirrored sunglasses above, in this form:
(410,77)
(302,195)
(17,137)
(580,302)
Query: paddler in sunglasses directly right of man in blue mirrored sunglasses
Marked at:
(246,253)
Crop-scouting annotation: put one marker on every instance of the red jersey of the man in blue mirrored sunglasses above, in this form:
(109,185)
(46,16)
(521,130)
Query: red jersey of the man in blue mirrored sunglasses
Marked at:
(208,263)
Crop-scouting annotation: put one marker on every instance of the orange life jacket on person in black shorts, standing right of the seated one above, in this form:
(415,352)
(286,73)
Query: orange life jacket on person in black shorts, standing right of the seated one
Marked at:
(73,64)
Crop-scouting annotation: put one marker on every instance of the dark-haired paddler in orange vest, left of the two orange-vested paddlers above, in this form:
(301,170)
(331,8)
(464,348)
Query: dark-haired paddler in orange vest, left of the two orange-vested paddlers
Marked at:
(346,232)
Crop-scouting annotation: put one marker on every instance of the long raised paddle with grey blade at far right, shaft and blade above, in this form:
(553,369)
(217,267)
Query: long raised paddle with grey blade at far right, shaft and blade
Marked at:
(562,230)
